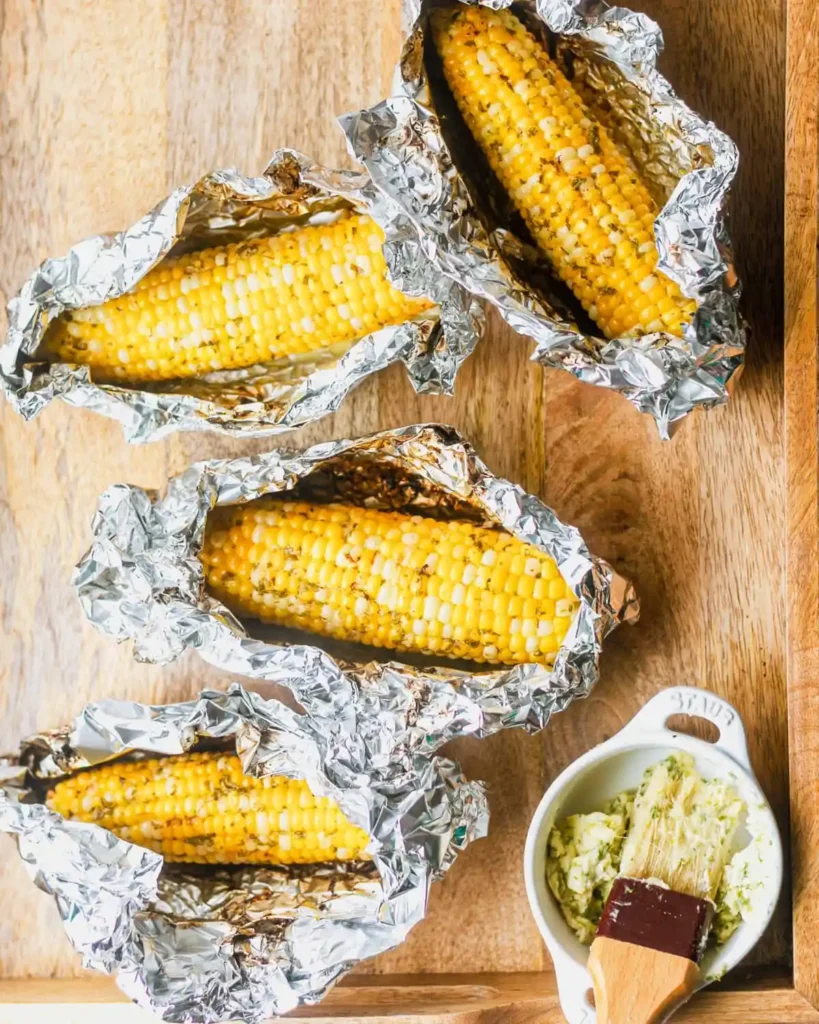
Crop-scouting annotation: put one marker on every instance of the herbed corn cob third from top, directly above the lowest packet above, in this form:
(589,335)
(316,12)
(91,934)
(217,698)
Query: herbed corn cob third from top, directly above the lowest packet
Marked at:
(390,580)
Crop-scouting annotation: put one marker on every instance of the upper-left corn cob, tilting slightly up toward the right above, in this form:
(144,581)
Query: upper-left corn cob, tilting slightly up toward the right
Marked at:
(236,306)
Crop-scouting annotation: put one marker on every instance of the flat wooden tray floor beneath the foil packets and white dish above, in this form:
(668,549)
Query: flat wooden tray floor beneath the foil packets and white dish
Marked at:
(106,106)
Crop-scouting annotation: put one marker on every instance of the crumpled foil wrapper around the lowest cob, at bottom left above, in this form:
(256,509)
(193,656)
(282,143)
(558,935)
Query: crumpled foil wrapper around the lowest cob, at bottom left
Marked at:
(206,945)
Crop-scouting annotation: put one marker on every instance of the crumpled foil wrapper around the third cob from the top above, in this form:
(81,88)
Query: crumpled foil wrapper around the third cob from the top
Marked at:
(143,581)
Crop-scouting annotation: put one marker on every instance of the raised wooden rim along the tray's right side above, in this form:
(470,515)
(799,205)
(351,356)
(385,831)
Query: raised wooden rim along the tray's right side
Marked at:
(802,368)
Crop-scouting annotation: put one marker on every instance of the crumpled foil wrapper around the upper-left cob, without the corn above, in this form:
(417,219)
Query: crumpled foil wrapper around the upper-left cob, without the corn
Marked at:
(267,399)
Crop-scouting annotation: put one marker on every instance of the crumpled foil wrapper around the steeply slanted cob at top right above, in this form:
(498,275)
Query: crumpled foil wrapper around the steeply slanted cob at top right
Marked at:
(462,223)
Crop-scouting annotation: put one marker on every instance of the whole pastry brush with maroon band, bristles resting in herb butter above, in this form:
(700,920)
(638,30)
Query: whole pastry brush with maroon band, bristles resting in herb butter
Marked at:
(645,959)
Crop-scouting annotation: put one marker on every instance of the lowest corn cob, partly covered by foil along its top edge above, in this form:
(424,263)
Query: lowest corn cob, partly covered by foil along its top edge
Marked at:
(203,809)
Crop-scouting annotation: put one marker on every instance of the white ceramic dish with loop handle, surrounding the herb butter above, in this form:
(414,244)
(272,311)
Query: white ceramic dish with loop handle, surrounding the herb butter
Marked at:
(617,765)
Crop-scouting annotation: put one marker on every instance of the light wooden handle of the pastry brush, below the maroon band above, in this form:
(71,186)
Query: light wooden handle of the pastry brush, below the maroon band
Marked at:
(637,986)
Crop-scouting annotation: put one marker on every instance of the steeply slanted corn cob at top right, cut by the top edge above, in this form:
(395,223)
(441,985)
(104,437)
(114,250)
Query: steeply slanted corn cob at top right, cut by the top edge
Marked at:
(585,206)
